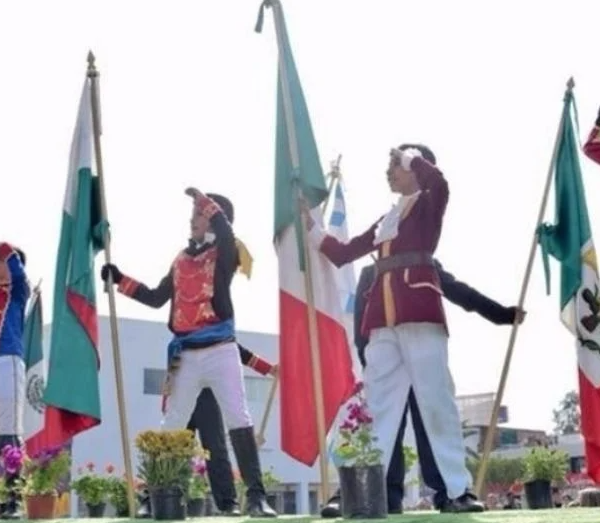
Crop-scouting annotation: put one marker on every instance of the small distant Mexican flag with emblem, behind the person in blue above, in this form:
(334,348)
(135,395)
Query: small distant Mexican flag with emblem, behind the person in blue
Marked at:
(35,377)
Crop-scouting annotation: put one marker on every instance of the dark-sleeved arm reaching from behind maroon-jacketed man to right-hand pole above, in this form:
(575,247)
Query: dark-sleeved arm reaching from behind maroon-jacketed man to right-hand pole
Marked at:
(471,300)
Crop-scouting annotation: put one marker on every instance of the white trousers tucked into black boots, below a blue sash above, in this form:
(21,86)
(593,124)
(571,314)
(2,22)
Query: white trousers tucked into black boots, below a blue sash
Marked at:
(218,368)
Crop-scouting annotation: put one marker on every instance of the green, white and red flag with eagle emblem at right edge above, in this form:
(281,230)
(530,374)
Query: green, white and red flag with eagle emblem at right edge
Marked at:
(569,240)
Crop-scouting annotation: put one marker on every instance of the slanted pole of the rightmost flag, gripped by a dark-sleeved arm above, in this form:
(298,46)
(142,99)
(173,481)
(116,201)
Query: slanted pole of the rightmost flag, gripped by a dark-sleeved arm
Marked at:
(489,438)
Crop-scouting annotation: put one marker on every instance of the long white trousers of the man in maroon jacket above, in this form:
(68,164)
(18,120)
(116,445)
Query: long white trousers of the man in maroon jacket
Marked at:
(416,354)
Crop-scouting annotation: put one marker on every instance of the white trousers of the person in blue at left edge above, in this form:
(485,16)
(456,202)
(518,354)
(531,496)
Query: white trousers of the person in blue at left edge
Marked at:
(12,395)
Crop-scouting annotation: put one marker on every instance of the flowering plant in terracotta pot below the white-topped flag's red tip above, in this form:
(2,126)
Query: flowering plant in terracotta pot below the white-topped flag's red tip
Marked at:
(43,473)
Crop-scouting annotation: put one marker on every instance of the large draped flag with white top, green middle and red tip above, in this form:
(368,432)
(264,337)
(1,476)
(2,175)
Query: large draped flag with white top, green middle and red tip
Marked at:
(72,397)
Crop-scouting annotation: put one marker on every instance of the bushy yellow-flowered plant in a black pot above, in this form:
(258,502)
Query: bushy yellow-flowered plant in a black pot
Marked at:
(165,467)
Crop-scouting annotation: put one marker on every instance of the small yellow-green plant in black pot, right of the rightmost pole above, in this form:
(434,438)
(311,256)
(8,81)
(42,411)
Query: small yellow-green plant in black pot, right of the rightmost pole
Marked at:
(542,467)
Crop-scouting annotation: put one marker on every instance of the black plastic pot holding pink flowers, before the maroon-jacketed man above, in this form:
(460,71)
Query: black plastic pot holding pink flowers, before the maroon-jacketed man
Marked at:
(364,493)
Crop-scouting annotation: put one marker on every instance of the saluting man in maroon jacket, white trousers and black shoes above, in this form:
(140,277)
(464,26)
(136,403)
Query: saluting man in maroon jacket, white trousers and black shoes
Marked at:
(404,318)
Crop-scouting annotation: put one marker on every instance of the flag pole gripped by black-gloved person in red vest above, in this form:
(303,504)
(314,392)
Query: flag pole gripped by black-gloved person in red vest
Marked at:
(93,74)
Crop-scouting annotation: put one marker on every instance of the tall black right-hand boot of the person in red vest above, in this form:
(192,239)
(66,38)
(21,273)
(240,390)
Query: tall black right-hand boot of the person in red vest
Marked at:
(246,453)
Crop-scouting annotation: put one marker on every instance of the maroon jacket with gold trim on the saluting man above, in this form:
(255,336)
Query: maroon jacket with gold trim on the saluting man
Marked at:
(403,294)
